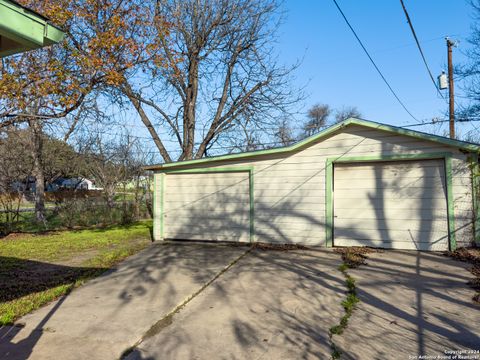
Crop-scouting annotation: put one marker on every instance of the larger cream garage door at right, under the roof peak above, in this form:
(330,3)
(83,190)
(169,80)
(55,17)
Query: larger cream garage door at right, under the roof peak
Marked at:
(399,205)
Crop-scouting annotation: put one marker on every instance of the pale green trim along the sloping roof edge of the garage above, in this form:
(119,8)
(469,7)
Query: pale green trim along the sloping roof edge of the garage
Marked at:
(325,133)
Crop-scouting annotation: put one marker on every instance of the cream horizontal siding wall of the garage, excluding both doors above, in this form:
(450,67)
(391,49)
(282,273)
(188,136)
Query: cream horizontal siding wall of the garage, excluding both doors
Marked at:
(290,189)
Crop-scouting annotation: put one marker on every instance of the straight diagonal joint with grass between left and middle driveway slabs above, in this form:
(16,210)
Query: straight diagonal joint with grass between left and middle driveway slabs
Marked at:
(167,319)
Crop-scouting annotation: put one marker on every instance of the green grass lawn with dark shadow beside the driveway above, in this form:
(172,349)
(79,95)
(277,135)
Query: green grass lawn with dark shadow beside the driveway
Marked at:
(36,269)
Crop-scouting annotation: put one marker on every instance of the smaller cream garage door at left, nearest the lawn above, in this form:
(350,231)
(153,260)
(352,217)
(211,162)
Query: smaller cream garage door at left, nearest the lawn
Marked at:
(207,206)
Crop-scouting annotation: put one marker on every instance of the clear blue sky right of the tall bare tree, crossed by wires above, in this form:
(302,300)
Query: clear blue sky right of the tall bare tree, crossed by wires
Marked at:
(337,72)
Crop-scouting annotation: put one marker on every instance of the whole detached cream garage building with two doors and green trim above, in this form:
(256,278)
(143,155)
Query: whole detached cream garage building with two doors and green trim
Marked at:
(355,183)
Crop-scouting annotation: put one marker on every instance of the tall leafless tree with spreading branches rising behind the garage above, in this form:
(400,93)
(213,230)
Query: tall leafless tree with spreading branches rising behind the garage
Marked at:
(220,73)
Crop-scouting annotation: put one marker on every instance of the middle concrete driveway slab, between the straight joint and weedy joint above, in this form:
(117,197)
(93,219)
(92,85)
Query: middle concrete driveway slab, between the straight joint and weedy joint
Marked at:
(271,305)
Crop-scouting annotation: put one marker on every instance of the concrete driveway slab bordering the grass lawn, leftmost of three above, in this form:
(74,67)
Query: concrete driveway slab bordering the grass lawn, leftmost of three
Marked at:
(110,313)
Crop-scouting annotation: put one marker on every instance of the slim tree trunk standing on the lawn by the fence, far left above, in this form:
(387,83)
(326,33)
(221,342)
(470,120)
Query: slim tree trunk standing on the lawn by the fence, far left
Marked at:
(38,173)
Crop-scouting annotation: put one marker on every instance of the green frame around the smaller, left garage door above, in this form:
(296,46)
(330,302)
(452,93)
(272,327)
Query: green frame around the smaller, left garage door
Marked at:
(231,169)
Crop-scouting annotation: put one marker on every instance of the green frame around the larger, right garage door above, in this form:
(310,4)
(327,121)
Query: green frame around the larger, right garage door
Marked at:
(329,189)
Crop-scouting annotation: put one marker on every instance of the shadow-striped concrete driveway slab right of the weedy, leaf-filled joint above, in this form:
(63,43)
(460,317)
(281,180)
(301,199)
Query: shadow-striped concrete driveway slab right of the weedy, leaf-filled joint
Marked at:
(412,303)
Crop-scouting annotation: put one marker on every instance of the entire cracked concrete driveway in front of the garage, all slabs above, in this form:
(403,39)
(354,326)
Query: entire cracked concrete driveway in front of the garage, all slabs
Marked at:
(212,301)
